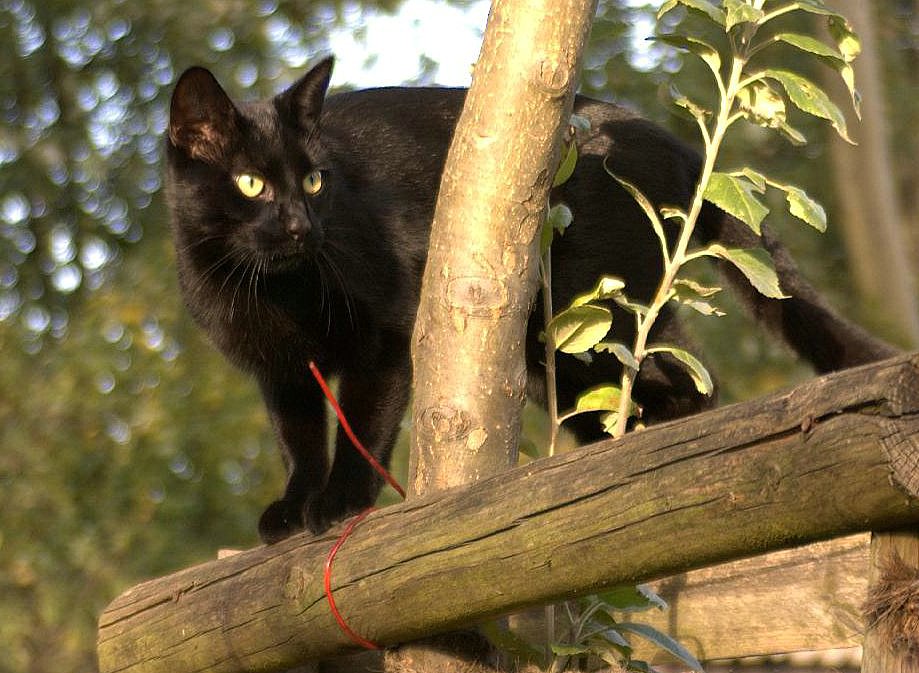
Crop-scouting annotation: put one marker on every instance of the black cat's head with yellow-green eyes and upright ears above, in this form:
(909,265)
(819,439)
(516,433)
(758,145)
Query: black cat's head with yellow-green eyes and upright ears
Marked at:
(246,181)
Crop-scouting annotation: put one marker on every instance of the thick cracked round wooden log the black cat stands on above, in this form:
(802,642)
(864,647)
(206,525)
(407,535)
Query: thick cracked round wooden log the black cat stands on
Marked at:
(837,455)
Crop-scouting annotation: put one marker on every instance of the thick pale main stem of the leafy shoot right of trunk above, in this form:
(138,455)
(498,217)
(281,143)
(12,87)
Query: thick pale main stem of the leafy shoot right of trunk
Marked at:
(687,226)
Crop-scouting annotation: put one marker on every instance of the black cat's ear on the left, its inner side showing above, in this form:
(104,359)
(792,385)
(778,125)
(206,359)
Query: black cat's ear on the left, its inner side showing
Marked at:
(202,118)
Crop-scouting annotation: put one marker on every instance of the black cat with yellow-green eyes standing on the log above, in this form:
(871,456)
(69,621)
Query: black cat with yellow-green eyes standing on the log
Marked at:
(301,228)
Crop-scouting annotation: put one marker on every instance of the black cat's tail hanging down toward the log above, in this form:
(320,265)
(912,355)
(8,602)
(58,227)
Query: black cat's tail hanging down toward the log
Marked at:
(804,321)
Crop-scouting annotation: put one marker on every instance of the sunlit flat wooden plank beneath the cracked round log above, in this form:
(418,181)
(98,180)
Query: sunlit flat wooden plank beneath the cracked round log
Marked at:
(804,599)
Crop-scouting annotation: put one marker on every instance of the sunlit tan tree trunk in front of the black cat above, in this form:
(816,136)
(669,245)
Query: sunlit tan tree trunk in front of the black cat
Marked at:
(481,274)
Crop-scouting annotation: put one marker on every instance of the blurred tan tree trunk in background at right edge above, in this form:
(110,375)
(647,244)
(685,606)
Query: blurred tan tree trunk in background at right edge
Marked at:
(871,217)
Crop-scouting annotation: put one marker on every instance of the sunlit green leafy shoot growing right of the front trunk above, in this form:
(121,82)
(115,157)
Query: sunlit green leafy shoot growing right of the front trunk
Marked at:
(760,96)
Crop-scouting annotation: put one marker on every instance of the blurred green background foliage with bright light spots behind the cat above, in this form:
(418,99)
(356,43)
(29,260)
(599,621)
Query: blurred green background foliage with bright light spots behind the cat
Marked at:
(129,447)
